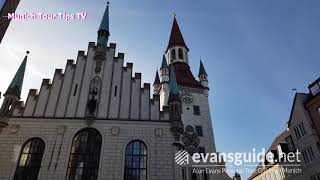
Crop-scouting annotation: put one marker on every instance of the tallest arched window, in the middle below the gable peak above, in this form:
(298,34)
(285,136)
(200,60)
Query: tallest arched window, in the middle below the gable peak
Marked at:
(85,155)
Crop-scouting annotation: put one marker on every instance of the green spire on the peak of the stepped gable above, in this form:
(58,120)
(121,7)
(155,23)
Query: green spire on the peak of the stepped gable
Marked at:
(103,32)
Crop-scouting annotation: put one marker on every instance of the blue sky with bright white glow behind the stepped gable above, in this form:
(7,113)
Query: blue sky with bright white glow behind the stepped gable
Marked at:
(255,52)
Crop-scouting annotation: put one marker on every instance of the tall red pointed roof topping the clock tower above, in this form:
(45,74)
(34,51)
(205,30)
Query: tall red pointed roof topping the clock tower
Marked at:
(176,38)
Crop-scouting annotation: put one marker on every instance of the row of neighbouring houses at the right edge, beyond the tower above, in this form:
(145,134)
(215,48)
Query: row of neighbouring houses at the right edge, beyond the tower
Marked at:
(302,135)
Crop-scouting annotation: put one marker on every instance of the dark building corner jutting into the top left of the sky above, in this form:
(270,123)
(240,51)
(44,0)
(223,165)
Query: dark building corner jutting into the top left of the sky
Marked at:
(6,6)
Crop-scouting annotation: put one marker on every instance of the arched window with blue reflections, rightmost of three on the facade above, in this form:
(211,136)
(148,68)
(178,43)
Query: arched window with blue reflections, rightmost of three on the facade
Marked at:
(136,161)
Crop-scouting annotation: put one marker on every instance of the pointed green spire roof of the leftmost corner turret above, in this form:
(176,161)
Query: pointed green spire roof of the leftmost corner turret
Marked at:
(16,83)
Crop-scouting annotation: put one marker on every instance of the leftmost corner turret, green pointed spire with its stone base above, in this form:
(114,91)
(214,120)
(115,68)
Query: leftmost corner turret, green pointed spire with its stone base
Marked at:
(12,95)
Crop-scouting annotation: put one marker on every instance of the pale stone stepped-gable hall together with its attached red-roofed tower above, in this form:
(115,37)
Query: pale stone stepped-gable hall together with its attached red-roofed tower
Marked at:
(95,121)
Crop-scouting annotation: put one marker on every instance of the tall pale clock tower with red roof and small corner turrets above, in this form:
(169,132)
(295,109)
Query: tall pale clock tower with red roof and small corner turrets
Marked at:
(193,102)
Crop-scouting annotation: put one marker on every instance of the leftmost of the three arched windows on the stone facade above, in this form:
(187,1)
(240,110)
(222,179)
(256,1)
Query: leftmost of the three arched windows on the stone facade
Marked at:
(30,159)
